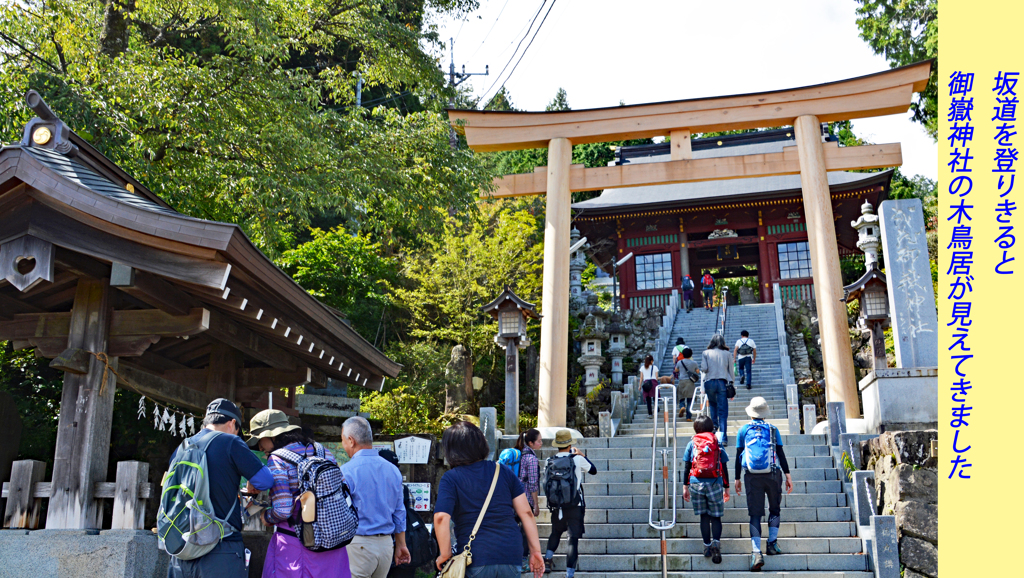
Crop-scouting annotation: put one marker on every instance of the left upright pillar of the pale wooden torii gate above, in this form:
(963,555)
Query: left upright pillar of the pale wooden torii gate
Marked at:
(556,301)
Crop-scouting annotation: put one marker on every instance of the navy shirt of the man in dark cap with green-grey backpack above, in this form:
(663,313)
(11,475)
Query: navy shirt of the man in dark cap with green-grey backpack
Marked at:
(229,461)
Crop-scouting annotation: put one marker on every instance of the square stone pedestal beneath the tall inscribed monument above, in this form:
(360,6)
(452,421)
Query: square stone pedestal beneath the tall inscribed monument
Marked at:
(902,399)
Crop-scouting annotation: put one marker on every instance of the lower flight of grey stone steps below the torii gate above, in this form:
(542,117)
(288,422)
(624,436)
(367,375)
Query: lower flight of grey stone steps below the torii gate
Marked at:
(818,533)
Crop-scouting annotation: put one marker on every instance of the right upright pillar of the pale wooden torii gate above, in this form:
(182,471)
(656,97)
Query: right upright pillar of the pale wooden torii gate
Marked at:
(841,381)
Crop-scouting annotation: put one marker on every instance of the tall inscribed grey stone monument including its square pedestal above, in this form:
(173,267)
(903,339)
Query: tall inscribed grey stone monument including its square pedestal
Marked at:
(906,398)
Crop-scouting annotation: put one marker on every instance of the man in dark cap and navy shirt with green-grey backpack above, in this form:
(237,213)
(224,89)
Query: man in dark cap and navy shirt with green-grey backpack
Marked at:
(200,519)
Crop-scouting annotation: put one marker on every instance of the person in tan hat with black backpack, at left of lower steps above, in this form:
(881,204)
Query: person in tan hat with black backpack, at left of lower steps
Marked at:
(564,488)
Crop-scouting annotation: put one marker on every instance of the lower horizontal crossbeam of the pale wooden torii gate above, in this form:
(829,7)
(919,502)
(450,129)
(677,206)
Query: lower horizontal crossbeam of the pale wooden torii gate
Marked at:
(697,171)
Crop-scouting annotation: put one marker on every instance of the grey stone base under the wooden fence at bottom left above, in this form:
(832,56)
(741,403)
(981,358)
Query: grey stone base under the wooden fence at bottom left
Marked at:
(74,554)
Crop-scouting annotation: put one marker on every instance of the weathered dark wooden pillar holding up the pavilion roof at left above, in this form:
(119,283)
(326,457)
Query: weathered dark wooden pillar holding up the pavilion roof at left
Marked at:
(87,410)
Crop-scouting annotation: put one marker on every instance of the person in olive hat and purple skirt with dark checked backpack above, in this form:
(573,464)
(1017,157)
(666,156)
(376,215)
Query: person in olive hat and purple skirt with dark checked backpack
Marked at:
(309,500)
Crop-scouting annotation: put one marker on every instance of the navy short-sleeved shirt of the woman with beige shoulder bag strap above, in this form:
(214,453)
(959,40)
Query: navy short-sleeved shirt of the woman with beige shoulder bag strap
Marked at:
(461,494)
